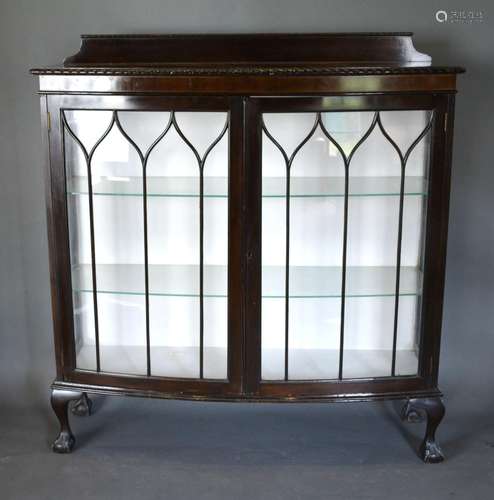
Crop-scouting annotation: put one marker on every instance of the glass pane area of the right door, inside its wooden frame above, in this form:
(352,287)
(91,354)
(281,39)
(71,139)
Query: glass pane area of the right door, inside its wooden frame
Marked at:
(343,211)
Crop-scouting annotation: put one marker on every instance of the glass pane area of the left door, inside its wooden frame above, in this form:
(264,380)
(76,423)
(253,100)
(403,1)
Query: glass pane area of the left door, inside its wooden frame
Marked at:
(147,196)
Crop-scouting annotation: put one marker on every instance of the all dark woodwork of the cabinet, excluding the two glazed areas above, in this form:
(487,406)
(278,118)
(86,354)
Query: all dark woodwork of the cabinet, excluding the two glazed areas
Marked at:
(247,75)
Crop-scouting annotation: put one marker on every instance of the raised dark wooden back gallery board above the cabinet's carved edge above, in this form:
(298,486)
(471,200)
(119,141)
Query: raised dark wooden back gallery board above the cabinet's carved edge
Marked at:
(141,50)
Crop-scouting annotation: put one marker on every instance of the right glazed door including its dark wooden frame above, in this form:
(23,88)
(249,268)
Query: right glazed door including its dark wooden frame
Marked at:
(342,194)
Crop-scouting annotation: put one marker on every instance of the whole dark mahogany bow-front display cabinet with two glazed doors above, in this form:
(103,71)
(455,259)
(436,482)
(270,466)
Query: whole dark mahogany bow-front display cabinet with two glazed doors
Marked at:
(248,218)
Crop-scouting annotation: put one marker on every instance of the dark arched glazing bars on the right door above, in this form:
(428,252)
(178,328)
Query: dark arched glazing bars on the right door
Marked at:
(346,158)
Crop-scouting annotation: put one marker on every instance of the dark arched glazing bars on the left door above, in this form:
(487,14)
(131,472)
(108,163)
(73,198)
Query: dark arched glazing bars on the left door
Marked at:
(143,158)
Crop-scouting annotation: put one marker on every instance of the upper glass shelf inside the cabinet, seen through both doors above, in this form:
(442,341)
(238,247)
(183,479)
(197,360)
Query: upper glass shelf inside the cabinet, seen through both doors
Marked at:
(273,187)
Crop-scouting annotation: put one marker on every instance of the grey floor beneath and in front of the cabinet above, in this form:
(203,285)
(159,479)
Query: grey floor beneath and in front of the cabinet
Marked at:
(139,449)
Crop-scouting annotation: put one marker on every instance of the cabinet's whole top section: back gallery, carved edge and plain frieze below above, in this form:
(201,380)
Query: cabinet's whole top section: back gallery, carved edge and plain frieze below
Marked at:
(276,64)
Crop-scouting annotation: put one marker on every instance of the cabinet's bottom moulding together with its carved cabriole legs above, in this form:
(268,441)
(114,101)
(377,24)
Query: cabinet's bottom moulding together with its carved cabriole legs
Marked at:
(418,407)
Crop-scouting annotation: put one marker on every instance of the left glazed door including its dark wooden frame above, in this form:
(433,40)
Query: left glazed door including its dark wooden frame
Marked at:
(149,281)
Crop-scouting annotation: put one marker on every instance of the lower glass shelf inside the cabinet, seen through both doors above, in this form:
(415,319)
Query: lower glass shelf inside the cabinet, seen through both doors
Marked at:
(305,281)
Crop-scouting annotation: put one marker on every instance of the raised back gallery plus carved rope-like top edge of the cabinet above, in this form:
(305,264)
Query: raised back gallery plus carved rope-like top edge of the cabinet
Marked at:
(248,54)
